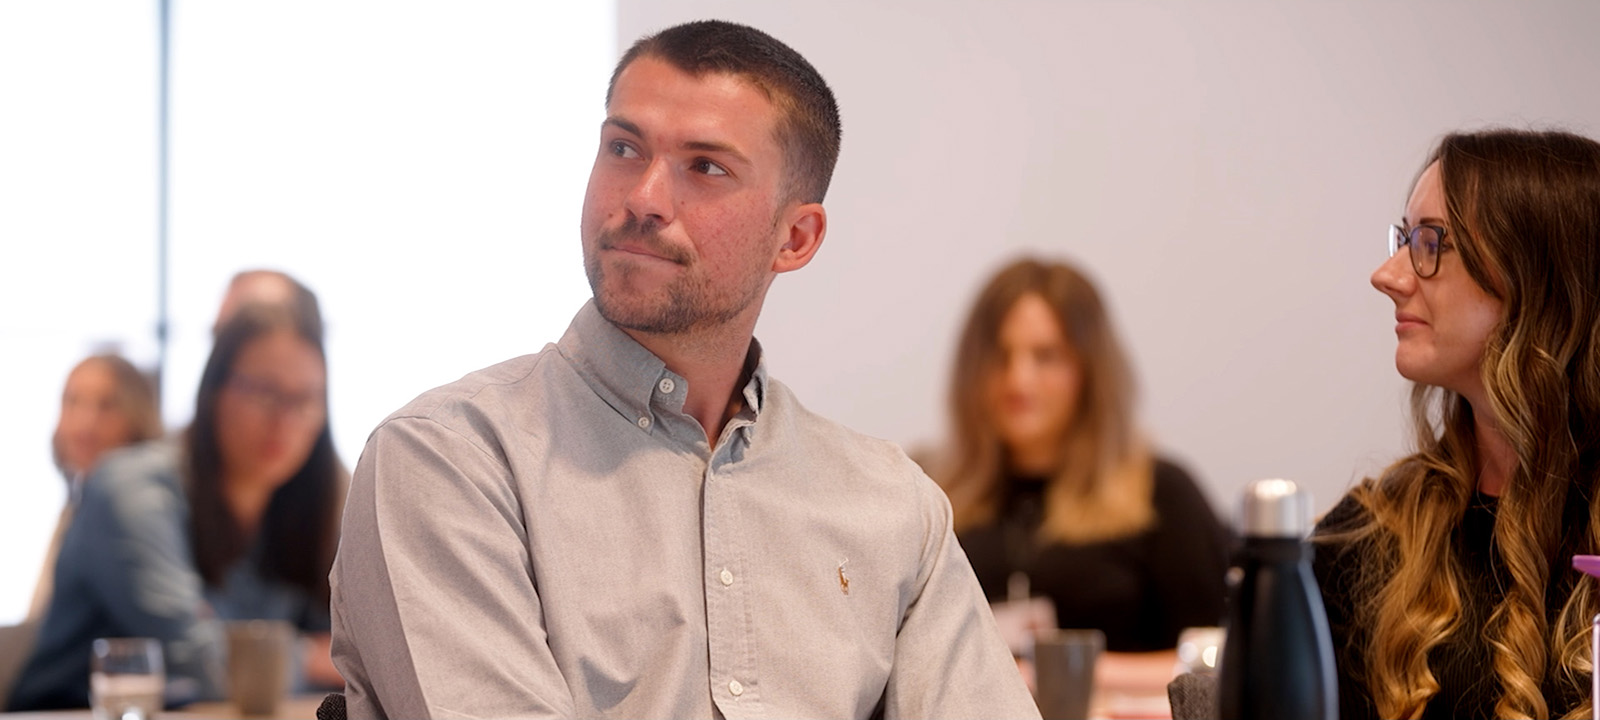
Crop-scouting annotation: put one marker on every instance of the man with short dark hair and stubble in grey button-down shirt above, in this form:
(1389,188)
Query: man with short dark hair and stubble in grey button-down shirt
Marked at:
(639,521)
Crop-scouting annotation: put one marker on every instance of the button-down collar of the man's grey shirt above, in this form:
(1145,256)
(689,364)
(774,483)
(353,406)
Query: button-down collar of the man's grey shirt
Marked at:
(630,378)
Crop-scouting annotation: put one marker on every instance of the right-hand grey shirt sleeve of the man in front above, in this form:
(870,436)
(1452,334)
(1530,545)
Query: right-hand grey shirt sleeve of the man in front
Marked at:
(950,658)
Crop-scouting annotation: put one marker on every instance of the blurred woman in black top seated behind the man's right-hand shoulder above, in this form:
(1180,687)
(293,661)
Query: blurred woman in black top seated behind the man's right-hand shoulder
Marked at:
(1055,494)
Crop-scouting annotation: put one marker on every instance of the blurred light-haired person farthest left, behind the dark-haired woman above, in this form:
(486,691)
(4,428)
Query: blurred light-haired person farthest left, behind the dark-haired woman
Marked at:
(106,404)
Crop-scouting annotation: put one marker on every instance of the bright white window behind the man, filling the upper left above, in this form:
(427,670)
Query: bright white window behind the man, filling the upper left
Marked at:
(418,166)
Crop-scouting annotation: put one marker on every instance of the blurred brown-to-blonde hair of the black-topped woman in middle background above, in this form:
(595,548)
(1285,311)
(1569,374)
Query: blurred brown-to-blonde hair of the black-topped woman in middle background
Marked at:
(1105,486)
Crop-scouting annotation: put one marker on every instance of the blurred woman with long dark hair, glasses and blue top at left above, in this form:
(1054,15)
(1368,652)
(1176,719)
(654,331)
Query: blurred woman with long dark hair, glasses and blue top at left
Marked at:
(234,521)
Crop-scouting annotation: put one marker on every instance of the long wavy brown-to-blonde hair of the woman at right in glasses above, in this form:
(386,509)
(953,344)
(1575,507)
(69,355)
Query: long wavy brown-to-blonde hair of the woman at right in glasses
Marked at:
(1524,212)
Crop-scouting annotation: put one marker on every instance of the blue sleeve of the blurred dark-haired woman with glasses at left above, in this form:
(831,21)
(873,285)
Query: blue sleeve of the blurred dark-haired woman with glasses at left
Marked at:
(130,538)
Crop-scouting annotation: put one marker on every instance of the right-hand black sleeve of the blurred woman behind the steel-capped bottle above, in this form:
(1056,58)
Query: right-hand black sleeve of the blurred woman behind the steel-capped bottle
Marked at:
(1188,556)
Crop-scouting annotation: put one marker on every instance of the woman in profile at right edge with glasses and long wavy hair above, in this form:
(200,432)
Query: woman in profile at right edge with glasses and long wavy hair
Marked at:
(1449,580)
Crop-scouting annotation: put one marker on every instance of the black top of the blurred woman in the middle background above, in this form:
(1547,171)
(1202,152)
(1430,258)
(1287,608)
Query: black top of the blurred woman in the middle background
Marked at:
(1142,591)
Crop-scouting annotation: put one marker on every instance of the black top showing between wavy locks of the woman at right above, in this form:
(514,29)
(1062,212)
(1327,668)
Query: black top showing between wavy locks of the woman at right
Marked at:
(1463,663)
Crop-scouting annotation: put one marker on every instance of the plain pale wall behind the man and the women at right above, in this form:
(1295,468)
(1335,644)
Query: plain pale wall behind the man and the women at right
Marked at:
(1225,169)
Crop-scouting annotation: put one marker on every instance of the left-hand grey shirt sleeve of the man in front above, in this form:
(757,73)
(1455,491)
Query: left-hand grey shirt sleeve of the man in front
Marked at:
(434,602)
